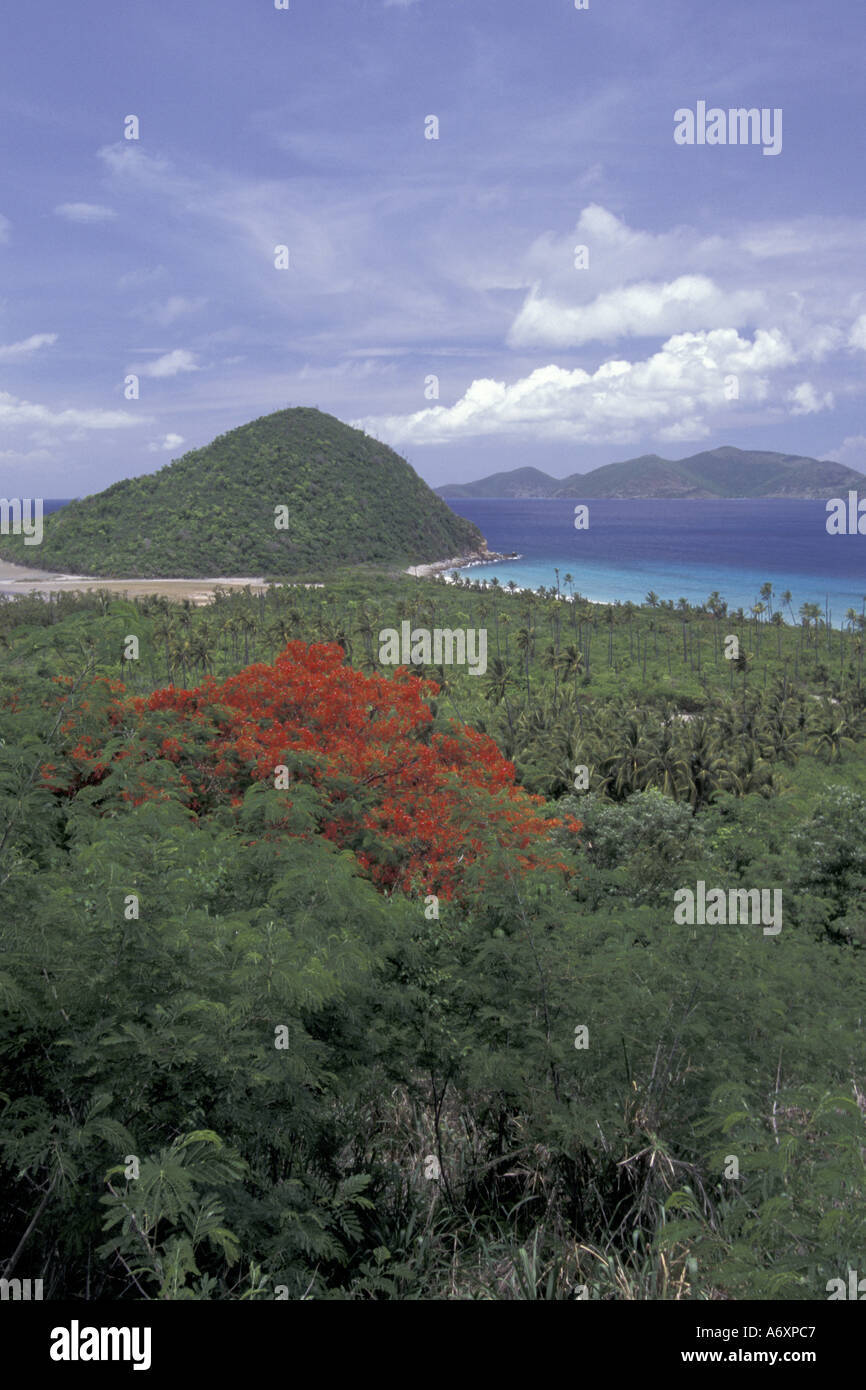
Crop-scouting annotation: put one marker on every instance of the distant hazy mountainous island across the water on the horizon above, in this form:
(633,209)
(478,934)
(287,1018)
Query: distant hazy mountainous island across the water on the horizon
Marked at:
(717,473)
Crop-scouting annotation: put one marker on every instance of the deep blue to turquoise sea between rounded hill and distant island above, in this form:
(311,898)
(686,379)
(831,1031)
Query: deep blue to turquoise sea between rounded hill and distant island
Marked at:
(680,550)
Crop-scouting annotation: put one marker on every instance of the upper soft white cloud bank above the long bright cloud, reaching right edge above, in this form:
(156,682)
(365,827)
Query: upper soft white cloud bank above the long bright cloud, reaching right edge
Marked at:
(629,283)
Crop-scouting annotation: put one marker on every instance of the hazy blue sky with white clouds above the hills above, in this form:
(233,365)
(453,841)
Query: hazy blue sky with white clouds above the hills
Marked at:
(414,258)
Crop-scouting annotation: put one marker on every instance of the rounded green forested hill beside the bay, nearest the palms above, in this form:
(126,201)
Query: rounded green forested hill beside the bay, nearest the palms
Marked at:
(350,500)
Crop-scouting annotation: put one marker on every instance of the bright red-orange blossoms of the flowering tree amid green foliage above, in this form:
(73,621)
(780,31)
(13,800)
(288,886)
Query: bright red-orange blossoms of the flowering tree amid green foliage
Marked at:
(416,807)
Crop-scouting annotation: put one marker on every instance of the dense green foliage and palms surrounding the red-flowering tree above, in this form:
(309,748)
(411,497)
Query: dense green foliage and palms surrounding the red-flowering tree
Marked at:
(336,1088)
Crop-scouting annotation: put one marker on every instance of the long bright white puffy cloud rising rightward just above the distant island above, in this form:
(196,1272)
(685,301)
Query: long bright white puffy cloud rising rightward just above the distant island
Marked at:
(668,394)
